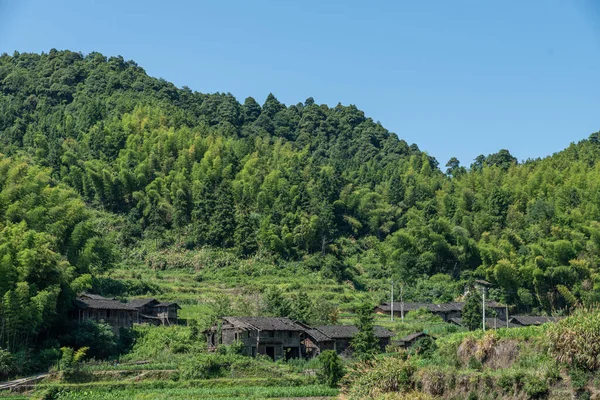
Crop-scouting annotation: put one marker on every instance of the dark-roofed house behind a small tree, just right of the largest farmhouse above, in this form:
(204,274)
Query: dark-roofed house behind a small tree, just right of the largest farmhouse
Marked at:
(338,338)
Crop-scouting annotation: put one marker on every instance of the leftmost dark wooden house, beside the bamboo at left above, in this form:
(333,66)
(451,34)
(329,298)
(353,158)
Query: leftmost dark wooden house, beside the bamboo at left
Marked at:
(97,308)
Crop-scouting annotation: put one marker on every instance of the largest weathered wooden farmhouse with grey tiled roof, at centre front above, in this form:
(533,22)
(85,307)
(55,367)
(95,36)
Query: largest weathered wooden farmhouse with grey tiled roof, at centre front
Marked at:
(275,337)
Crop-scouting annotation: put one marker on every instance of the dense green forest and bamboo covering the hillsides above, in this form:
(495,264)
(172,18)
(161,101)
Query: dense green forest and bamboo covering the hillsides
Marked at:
(96,156)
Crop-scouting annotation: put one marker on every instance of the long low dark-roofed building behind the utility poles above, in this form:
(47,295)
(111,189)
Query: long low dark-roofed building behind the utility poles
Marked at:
(446,311)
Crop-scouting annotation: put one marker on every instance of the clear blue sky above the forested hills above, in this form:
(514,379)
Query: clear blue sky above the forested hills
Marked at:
(459,78)
